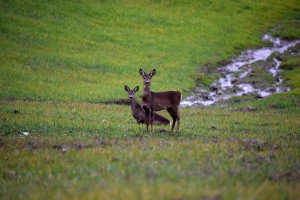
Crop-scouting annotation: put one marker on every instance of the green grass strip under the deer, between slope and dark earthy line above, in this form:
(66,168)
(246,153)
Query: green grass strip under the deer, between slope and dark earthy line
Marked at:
(54,119)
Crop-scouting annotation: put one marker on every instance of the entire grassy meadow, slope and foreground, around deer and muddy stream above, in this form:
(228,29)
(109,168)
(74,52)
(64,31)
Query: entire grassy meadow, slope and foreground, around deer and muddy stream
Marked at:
(64,63)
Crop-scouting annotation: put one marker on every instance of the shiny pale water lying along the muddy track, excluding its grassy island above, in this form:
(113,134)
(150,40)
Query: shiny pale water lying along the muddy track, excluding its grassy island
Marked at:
(231,84)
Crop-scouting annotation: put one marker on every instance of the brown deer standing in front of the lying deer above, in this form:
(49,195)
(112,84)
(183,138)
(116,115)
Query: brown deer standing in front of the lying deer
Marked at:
(156,101)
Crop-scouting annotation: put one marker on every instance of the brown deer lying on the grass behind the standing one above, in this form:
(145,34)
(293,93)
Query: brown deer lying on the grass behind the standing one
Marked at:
(139,114)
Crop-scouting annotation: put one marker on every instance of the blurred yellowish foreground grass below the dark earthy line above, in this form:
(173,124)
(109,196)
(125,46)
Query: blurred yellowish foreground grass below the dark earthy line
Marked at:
(148,169)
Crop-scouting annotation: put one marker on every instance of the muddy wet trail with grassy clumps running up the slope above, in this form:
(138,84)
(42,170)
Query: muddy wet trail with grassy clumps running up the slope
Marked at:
(254,73)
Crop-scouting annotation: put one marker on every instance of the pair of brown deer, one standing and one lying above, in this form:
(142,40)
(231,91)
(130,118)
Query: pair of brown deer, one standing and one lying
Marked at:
(154,101)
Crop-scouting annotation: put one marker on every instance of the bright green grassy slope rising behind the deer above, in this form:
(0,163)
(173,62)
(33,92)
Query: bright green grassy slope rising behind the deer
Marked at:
(88,51)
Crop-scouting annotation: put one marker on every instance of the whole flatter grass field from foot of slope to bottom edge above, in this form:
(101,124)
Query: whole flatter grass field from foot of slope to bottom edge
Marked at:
(82,150)
